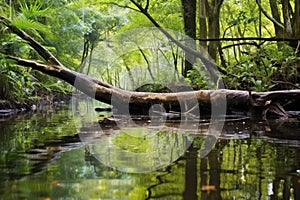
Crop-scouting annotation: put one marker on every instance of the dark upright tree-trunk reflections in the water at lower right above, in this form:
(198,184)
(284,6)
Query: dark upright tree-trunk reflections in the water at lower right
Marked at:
(235,168)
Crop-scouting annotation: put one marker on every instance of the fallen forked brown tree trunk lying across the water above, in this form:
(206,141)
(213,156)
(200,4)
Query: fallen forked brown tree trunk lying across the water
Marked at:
(130,102)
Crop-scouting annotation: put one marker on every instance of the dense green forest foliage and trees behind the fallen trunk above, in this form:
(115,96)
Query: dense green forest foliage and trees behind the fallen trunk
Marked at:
(254,44)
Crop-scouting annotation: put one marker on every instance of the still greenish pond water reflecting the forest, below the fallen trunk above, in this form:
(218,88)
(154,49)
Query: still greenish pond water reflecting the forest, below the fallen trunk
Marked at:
(43,156)
